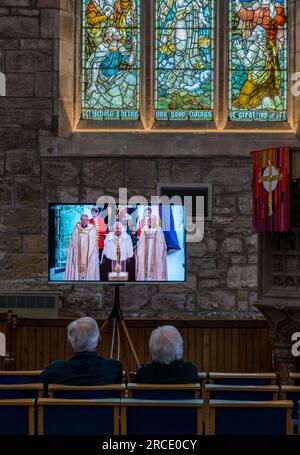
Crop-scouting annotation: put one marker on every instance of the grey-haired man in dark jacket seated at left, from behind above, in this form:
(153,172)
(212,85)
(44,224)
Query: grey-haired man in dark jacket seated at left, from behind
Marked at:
(85,367)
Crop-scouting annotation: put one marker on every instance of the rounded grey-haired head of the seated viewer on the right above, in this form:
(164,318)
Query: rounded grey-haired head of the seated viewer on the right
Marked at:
(166,345)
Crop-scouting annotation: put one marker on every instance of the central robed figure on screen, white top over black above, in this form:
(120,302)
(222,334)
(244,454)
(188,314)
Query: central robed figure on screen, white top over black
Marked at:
(117,253)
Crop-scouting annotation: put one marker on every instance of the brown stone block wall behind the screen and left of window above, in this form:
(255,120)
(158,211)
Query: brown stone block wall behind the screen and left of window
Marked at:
(33,171)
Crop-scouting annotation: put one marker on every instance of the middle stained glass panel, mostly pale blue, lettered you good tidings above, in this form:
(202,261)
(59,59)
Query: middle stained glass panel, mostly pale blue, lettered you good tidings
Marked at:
(184,59)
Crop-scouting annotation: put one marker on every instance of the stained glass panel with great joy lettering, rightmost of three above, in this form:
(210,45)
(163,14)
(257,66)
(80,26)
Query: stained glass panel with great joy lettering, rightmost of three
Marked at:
(258,58)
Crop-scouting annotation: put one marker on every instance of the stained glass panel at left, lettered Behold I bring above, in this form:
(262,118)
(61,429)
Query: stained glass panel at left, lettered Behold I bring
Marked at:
(110,60)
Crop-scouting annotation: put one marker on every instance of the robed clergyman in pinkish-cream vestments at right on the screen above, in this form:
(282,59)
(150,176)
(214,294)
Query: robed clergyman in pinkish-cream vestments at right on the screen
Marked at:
(151,252)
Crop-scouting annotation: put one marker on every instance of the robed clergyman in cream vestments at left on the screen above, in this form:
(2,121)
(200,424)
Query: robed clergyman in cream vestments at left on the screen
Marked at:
(83,256)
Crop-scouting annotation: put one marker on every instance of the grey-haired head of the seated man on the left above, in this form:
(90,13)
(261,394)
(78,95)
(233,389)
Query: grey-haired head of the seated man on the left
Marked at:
(83,334)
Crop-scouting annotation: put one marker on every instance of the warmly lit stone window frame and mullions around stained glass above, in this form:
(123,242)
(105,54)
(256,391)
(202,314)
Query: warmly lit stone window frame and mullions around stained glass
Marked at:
(68,109)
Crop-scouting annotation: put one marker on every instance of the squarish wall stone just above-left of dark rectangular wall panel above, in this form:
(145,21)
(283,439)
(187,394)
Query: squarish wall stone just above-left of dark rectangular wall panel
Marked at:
(140,173)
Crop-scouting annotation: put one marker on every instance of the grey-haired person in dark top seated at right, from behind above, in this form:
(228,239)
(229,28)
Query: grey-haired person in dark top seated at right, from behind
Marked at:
(167,366)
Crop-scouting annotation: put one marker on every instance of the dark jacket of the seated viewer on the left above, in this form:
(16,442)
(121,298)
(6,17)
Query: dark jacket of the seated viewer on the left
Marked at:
(84,368)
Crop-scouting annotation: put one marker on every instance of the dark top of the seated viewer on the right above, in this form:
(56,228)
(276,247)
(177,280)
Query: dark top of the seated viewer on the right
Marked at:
(178,372)
